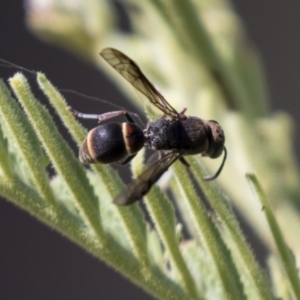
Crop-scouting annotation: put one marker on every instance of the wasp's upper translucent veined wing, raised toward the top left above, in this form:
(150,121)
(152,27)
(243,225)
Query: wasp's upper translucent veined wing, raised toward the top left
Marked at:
(132,73)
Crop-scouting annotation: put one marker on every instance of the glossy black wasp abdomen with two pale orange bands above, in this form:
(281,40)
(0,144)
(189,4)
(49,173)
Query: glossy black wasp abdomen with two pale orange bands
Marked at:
(111,142)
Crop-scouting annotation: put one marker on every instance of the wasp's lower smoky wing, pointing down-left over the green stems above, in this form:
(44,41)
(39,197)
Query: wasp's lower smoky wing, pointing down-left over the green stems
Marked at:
(142,184)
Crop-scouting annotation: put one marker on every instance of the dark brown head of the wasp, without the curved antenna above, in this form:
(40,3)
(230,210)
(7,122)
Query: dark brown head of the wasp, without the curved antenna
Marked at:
(216,140)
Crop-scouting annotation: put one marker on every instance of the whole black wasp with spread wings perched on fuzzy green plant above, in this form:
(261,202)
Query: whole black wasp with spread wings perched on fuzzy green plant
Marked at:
(174,134)
